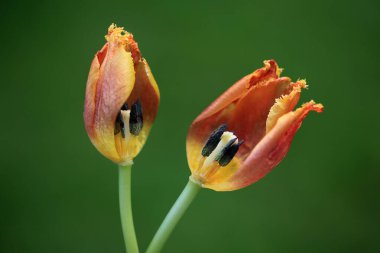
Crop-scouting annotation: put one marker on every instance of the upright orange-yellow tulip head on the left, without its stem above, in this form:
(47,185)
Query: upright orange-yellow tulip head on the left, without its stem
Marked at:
(121,100)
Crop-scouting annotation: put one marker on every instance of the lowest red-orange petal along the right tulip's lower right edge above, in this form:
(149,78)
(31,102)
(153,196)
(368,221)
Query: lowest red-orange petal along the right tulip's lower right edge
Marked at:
(269,151)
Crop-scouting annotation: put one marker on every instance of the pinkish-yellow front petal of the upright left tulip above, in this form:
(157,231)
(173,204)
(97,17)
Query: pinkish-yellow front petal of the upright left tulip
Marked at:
(116,81)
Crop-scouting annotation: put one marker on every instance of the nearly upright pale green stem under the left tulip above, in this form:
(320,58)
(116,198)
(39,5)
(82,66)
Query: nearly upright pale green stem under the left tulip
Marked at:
(126,209)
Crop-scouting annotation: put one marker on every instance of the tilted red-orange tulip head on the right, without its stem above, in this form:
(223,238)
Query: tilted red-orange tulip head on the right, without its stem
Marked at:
(247,131)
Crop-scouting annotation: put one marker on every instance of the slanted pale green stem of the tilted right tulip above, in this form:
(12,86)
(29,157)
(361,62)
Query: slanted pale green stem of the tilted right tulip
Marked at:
(179,208)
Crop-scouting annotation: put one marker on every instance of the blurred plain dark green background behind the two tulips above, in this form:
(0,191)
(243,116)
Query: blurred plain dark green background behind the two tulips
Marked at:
(58,194)
